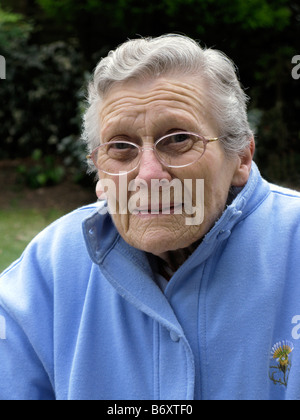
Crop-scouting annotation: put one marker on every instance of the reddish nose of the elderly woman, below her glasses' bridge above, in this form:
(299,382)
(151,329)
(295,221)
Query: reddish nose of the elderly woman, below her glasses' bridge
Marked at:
(151,168)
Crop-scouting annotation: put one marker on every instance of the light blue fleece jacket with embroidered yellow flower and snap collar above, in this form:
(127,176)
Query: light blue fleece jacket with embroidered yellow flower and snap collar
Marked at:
(83,318)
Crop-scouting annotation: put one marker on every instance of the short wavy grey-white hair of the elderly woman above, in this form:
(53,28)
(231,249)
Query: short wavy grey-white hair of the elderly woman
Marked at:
(148,58)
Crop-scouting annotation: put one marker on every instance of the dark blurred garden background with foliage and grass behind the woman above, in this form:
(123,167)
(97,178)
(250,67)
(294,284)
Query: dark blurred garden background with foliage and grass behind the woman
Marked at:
(51,48)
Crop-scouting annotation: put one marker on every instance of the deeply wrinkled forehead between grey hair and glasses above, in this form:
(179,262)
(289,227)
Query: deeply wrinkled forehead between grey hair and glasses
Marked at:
(157,98)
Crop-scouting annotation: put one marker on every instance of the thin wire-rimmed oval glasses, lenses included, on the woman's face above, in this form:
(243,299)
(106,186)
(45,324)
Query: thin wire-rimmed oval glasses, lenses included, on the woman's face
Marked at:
(174,150)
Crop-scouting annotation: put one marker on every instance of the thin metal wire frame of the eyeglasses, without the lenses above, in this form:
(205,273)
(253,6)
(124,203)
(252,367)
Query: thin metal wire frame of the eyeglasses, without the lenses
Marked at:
(152,148)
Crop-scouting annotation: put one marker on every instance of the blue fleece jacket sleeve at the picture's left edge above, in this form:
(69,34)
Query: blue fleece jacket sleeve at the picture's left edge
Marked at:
(26,325)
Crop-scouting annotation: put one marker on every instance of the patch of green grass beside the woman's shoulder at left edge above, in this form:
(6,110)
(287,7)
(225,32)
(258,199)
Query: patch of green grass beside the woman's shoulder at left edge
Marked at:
(18,227)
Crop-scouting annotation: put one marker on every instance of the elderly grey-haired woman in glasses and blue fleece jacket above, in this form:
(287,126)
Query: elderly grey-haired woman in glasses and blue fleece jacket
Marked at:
(184,284)
